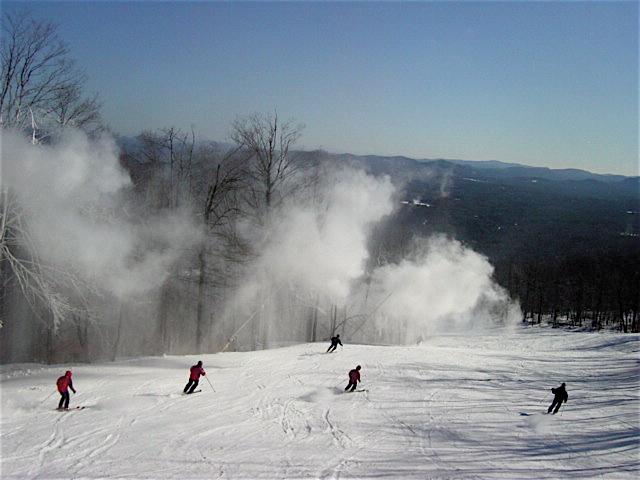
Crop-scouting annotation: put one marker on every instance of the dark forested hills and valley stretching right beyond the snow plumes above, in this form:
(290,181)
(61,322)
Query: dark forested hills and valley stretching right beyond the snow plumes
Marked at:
(565,243)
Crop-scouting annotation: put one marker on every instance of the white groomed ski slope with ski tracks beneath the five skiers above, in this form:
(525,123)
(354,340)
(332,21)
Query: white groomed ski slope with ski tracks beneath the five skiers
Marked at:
(457,406)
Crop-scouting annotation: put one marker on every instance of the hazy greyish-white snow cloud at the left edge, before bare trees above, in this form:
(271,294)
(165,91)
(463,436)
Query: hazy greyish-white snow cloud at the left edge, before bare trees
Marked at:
(70,193)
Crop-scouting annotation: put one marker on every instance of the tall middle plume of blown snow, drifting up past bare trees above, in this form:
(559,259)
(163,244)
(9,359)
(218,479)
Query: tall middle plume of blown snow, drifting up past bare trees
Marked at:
(317,246)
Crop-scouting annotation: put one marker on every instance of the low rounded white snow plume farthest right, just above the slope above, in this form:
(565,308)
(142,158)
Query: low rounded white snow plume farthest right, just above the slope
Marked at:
(444,286)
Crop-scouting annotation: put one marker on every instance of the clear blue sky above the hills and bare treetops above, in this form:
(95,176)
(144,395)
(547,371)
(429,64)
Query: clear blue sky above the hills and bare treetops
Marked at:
(541,83)
